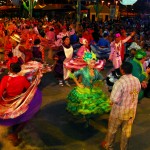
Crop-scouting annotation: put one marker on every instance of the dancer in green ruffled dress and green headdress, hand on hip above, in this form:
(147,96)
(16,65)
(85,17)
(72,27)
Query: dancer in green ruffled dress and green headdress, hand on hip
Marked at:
(87,99)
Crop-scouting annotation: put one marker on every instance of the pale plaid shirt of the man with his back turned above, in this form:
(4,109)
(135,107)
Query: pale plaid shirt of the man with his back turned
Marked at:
(125,97)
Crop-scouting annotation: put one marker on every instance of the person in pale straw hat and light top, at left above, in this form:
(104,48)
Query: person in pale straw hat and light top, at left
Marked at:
(16,44)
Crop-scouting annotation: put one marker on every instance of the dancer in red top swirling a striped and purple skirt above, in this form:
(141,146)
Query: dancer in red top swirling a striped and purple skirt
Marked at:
(19,102)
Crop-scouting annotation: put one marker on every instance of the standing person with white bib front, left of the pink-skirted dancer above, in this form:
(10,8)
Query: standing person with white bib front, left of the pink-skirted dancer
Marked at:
(64,55)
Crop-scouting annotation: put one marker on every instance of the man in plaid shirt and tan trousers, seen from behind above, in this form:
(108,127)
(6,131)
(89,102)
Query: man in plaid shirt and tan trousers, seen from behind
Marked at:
(124,97)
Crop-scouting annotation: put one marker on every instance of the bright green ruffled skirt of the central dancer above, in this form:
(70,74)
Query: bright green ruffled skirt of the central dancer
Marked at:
(88,102)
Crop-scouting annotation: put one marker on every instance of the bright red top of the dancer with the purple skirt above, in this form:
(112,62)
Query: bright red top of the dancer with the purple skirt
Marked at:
(13,85)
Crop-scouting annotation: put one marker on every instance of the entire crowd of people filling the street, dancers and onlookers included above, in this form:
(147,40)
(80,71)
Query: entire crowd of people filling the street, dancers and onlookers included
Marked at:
(26,43)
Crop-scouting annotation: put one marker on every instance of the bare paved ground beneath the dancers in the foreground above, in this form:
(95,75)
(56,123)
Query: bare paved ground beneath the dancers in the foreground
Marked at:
(53,128)
